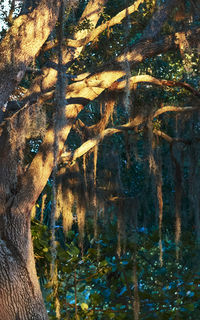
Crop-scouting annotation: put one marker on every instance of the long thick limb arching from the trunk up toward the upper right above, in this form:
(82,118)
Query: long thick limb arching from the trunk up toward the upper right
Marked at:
(78,95)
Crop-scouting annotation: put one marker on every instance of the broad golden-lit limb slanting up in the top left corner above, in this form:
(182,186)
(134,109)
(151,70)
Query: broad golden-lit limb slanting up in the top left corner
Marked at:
(22,42)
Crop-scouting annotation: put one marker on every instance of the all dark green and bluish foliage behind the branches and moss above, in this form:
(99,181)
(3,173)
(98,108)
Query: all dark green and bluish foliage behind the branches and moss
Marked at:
(93,279)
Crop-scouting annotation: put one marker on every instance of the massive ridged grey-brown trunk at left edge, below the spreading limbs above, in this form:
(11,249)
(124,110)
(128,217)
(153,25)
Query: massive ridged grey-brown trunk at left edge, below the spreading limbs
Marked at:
(20,294)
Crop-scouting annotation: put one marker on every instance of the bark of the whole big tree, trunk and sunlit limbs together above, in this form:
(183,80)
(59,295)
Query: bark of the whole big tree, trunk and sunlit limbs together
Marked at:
(20,295)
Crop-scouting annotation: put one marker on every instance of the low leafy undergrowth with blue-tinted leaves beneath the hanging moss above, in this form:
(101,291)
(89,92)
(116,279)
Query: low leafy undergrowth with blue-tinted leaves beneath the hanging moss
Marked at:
(101,284)
